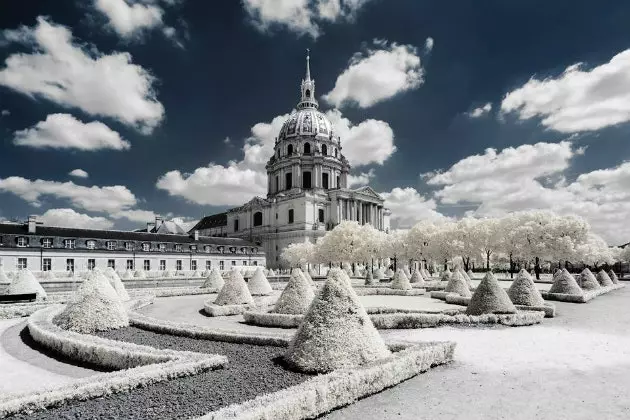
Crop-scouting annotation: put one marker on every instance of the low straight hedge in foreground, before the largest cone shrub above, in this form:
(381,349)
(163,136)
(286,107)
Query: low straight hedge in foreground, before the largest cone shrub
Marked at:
(324,393)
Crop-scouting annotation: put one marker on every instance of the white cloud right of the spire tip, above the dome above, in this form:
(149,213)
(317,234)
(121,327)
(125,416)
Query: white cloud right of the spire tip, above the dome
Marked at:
(377,75)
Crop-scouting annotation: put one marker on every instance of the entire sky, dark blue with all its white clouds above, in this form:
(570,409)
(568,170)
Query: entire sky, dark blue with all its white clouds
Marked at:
(112,111)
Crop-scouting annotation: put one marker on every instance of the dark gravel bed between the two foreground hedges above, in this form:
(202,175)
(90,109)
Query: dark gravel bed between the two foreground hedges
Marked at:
(252,371)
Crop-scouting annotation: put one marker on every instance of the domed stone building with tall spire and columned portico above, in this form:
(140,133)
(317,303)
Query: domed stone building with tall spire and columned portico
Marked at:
(307,188)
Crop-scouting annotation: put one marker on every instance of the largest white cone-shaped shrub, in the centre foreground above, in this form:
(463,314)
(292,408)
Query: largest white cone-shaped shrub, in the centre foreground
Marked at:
(336,331)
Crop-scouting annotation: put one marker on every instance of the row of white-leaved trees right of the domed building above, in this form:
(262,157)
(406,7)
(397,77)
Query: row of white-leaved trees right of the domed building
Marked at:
(519,239)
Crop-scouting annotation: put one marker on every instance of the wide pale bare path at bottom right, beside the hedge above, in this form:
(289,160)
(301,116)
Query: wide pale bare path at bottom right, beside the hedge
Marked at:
(573,367)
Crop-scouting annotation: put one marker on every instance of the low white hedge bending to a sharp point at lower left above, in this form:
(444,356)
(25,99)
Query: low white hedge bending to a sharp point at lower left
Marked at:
(142,365)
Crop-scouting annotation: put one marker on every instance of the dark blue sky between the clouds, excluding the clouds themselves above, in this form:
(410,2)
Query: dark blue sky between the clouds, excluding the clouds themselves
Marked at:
(230,75)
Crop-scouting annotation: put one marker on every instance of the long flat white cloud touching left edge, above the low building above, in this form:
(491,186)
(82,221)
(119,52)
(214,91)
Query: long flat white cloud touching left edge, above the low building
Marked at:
(104,199)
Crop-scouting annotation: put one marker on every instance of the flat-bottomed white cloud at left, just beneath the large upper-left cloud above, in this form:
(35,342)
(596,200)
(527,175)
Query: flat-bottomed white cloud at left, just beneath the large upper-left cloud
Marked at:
(63,131)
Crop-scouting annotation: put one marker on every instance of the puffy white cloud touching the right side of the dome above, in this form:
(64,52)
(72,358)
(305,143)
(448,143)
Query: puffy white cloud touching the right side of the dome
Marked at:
(371,141)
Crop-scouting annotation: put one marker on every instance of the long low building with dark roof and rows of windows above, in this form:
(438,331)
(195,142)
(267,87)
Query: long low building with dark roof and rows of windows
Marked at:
(47,248)
